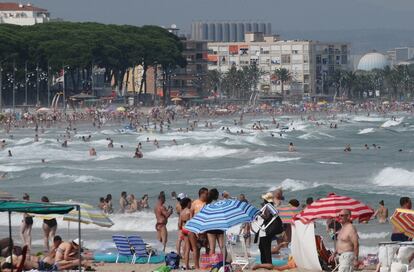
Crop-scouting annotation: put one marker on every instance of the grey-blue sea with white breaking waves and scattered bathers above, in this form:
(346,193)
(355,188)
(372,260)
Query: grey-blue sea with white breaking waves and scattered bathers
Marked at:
(251,163)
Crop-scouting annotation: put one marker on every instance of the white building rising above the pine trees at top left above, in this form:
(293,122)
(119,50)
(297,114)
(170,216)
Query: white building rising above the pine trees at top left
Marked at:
(19,14)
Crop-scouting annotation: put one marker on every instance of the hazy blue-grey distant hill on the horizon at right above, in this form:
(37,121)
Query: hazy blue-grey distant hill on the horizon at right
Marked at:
(362,40)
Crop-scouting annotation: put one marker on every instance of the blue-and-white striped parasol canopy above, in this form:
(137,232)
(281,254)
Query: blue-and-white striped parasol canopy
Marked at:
(221,215)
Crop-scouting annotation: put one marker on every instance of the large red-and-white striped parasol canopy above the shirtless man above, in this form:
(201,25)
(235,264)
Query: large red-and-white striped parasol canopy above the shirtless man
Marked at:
(330,207)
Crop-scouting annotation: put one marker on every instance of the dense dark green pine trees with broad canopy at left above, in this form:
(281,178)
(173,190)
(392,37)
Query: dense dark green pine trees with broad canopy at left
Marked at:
(79,47)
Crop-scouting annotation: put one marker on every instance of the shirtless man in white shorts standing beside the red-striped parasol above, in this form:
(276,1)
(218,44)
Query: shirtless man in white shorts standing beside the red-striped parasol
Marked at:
(347,245)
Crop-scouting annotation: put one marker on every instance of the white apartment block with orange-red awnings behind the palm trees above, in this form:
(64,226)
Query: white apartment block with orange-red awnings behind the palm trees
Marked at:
(310,63)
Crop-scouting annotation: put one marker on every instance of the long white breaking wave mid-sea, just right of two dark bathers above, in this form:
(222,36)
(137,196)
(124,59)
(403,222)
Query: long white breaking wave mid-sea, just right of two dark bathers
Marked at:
(189,151)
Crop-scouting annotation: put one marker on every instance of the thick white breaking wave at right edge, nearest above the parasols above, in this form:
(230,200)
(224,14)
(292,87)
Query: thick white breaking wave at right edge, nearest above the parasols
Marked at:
(391,176)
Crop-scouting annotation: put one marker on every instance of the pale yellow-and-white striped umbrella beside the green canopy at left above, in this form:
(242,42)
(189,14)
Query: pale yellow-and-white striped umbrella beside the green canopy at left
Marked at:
(88,215)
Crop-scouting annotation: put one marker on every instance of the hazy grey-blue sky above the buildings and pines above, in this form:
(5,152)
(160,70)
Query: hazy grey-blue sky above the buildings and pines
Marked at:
(283,14)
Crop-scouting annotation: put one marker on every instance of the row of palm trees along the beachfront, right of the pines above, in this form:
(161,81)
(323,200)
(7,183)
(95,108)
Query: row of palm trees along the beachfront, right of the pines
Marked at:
(393,82)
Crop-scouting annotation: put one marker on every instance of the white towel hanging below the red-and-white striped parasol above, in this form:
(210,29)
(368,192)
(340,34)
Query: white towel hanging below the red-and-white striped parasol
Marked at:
(304,246)
